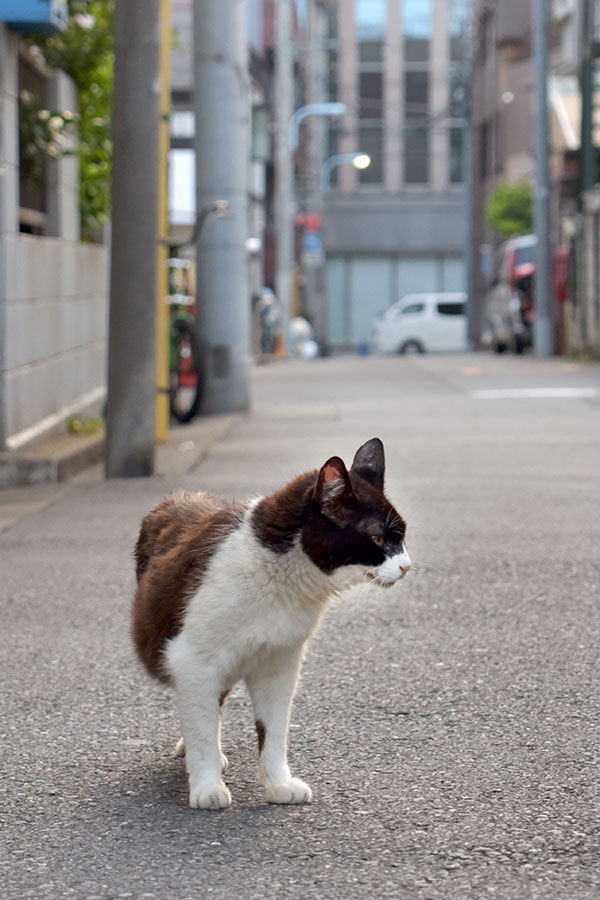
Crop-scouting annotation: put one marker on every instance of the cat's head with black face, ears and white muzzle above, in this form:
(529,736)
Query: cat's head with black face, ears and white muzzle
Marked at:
(351,522)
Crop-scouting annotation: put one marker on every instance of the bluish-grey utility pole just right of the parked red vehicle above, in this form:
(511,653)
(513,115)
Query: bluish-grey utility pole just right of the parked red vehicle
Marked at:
(543,332)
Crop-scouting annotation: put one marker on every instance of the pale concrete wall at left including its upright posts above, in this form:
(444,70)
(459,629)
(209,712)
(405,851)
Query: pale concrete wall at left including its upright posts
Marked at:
(53,289)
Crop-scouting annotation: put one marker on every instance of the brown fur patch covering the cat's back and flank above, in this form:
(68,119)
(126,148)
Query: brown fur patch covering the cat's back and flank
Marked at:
(176,543)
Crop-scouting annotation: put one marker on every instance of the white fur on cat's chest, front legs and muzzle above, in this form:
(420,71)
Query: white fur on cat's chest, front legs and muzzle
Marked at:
(250,619)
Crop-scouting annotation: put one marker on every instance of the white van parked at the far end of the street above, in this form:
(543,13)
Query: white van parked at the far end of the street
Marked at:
(422,323)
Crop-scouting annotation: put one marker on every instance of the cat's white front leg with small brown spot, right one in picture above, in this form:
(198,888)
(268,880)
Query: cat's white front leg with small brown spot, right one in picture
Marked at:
(271,685)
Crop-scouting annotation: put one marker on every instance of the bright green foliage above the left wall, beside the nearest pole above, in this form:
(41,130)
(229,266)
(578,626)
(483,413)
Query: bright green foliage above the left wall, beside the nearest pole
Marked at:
(85,51)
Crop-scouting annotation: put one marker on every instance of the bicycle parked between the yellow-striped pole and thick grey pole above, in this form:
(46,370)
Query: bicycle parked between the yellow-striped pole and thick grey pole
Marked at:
(186,369)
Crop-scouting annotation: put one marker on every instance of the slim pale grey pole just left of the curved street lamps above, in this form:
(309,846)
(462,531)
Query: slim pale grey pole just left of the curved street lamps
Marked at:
(284,186)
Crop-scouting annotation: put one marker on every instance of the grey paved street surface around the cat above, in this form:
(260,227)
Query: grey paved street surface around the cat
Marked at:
(449,727)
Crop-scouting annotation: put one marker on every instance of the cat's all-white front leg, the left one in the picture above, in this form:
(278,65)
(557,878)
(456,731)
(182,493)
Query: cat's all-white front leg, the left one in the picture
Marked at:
(198,689)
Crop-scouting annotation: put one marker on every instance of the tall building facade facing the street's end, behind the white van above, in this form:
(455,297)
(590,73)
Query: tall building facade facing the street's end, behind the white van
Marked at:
(398,226)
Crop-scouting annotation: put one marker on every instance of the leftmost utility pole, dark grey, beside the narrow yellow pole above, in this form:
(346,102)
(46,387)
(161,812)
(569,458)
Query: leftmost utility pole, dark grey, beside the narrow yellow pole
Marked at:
(130,436)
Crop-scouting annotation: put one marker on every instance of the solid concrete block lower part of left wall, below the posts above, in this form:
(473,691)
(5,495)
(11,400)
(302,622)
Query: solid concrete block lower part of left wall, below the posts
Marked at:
(56,330)
